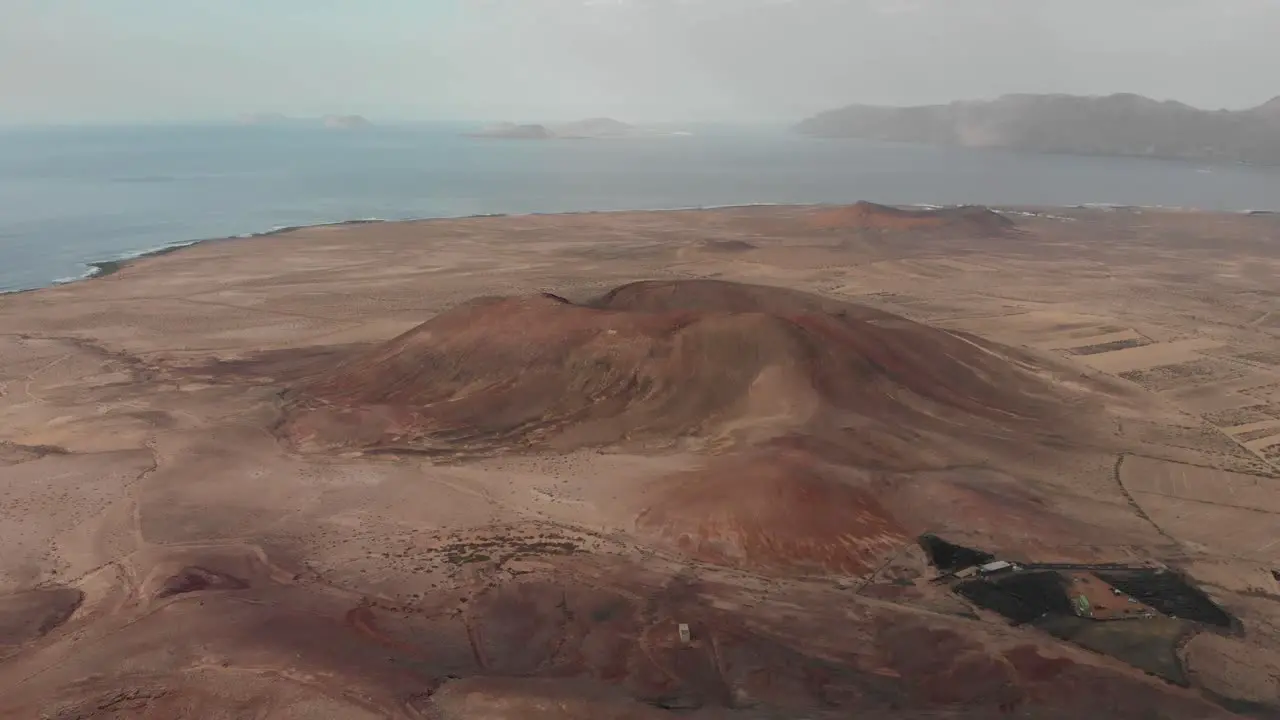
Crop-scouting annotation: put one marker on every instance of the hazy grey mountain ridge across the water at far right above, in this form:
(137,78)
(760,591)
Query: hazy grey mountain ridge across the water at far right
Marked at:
(1116,125)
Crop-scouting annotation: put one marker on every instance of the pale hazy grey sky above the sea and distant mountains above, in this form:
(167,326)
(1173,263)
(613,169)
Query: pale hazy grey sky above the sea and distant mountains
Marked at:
(68,61)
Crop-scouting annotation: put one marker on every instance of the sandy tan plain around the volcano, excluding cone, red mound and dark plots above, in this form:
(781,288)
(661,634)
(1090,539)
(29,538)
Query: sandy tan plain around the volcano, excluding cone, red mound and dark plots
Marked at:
(167,555)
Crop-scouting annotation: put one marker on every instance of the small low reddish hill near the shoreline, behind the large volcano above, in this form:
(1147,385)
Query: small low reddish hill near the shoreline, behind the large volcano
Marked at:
(970,221)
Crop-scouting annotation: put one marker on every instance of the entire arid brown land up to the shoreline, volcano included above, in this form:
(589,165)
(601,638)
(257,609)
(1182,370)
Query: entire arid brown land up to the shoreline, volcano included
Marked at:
(468,470)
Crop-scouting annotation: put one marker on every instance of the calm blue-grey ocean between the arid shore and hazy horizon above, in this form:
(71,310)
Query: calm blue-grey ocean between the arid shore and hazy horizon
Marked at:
(74,197)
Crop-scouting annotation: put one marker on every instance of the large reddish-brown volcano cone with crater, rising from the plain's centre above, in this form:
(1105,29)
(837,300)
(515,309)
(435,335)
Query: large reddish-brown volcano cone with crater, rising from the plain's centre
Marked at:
(664,362)
